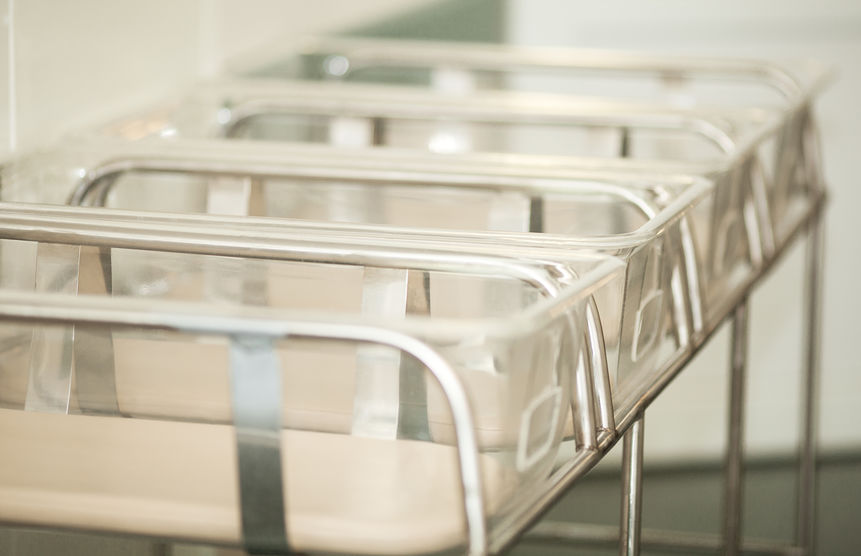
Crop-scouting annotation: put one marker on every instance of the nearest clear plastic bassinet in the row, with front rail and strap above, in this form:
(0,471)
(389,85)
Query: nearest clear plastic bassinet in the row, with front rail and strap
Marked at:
(211,380)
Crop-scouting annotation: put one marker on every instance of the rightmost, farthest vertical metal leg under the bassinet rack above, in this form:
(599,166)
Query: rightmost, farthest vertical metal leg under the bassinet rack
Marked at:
(805,532)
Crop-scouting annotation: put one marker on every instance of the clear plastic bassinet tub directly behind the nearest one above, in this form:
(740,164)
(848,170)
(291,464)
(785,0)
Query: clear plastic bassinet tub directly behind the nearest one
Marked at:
(681,259)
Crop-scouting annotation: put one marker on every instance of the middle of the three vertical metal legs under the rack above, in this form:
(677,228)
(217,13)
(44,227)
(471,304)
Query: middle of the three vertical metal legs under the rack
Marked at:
(734,484)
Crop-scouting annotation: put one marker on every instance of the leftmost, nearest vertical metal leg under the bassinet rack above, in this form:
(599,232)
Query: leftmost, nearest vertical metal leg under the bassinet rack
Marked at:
(632,490)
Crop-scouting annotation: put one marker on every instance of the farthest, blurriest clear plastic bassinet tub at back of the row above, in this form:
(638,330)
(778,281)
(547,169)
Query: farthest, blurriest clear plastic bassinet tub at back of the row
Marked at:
(789,86)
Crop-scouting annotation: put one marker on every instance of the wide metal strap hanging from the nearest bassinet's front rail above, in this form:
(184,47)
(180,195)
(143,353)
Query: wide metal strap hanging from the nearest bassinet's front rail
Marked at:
(257,416)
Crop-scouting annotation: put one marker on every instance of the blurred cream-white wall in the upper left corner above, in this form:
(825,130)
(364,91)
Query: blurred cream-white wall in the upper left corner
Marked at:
(76,62)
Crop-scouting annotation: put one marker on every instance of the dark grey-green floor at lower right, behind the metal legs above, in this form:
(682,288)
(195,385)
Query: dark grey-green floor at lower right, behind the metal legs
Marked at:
(688,499)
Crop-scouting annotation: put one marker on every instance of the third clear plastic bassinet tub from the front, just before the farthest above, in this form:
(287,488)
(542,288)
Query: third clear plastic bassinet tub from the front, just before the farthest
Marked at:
(720,145)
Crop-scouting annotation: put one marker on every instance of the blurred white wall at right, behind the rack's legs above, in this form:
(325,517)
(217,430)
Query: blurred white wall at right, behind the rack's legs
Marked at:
(689,419)
